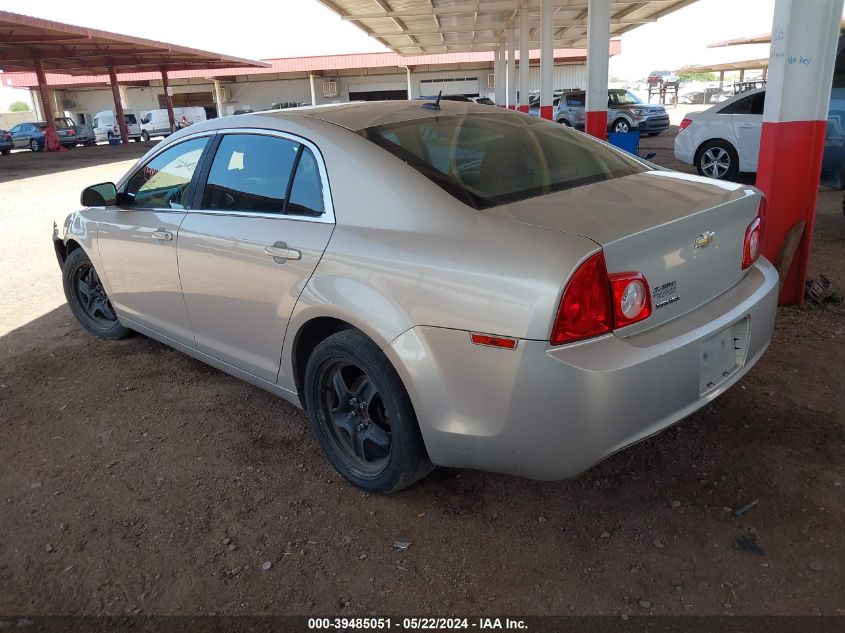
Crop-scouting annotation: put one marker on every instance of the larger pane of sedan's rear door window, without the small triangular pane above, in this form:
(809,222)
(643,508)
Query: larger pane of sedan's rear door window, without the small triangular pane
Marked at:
(251,172)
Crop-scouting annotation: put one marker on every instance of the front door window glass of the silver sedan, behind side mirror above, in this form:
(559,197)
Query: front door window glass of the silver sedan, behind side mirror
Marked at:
(164,182)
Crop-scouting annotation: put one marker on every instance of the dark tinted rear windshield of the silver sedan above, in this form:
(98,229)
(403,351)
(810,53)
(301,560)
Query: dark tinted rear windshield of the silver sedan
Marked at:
(485,160)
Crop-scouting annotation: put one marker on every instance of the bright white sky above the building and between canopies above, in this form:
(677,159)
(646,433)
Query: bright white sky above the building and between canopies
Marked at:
(293,28)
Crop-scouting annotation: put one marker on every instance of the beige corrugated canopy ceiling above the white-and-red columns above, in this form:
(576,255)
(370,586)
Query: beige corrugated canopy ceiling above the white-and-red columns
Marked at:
(413,27)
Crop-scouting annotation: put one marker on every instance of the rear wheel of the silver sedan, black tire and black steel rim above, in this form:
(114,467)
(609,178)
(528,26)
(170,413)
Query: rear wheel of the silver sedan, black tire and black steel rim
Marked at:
(361,415)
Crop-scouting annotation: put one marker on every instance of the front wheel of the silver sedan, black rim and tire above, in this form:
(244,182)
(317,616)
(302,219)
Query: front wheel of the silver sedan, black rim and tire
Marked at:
(87,298)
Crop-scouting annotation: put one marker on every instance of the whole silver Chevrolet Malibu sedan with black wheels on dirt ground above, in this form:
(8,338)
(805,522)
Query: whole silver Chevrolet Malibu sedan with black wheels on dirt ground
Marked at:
(461,286)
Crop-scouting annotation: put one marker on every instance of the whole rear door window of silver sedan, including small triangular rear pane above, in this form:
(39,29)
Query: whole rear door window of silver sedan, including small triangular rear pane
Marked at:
(264,174)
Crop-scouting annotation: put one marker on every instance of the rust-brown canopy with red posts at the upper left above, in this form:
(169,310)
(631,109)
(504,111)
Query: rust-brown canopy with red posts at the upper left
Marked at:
(30,44)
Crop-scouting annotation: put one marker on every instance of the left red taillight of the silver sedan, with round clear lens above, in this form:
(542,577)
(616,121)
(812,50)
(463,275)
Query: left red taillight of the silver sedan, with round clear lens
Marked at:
(595,303)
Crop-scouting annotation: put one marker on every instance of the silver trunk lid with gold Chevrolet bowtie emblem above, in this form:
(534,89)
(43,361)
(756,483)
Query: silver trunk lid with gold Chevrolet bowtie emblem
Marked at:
(684,233)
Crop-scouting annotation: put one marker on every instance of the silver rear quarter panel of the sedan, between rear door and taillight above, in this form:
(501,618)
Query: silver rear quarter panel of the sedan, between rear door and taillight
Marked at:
(405,253)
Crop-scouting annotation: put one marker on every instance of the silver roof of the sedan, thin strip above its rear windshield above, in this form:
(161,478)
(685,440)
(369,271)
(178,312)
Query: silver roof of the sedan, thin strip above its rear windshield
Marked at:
(360,115)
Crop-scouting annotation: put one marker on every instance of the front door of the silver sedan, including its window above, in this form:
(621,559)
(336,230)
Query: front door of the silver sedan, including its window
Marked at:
(137,240)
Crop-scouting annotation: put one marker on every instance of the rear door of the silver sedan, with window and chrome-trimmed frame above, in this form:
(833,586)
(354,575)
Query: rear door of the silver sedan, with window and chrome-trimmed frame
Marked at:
(249,247)
